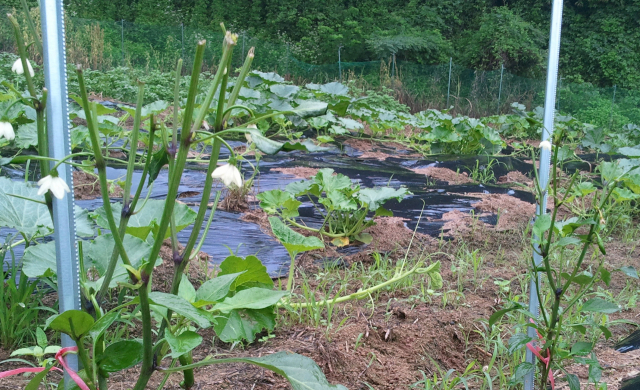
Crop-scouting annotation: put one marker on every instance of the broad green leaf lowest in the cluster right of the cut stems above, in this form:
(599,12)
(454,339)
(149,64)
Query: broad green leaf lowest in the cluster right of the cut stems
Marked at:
(240,325)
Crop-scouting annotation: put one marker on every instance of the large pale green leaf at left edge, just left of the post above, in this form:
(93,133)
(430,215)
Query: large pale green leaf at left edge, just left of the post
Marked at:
(23,215)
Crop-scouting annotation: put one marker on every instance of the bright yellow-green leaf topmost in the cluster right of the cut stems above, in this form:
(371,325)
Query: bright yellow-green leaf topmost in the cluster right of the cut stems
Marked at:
(253,272)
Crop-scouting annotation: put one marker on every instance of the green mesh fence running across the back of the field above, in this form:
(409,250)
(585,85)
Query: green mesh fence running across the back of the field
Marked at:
(103,45)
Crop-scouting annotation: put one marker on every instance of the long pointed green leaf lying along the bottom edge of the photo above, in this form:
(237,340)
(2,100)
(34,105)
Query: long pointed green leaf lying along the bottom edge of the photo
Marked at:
(302,372)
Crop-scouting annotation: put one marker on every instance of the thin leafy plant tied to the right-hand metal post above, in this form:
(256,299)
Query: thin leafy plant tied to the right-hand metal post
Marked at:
(573,262)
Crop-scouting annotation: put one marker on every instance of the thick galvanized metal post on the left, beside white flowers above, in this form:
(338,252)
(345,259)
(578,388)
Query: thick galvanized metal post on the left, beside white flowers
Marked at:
(59,147)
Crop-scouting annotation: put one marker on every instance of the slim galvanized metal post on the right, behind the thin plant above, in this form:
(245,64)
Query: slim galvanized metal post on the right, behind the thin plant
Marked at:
(543,172)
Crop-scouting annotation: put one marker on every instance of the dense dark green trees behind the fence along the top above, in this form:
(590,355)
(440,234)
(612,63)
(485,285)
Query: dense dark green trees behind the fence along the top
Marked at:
(601,38)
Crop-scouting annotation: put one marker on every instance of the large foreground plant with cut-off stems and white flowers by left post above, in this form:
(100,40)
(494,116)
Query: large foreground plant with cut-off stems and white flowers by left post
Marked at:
(238,303)
